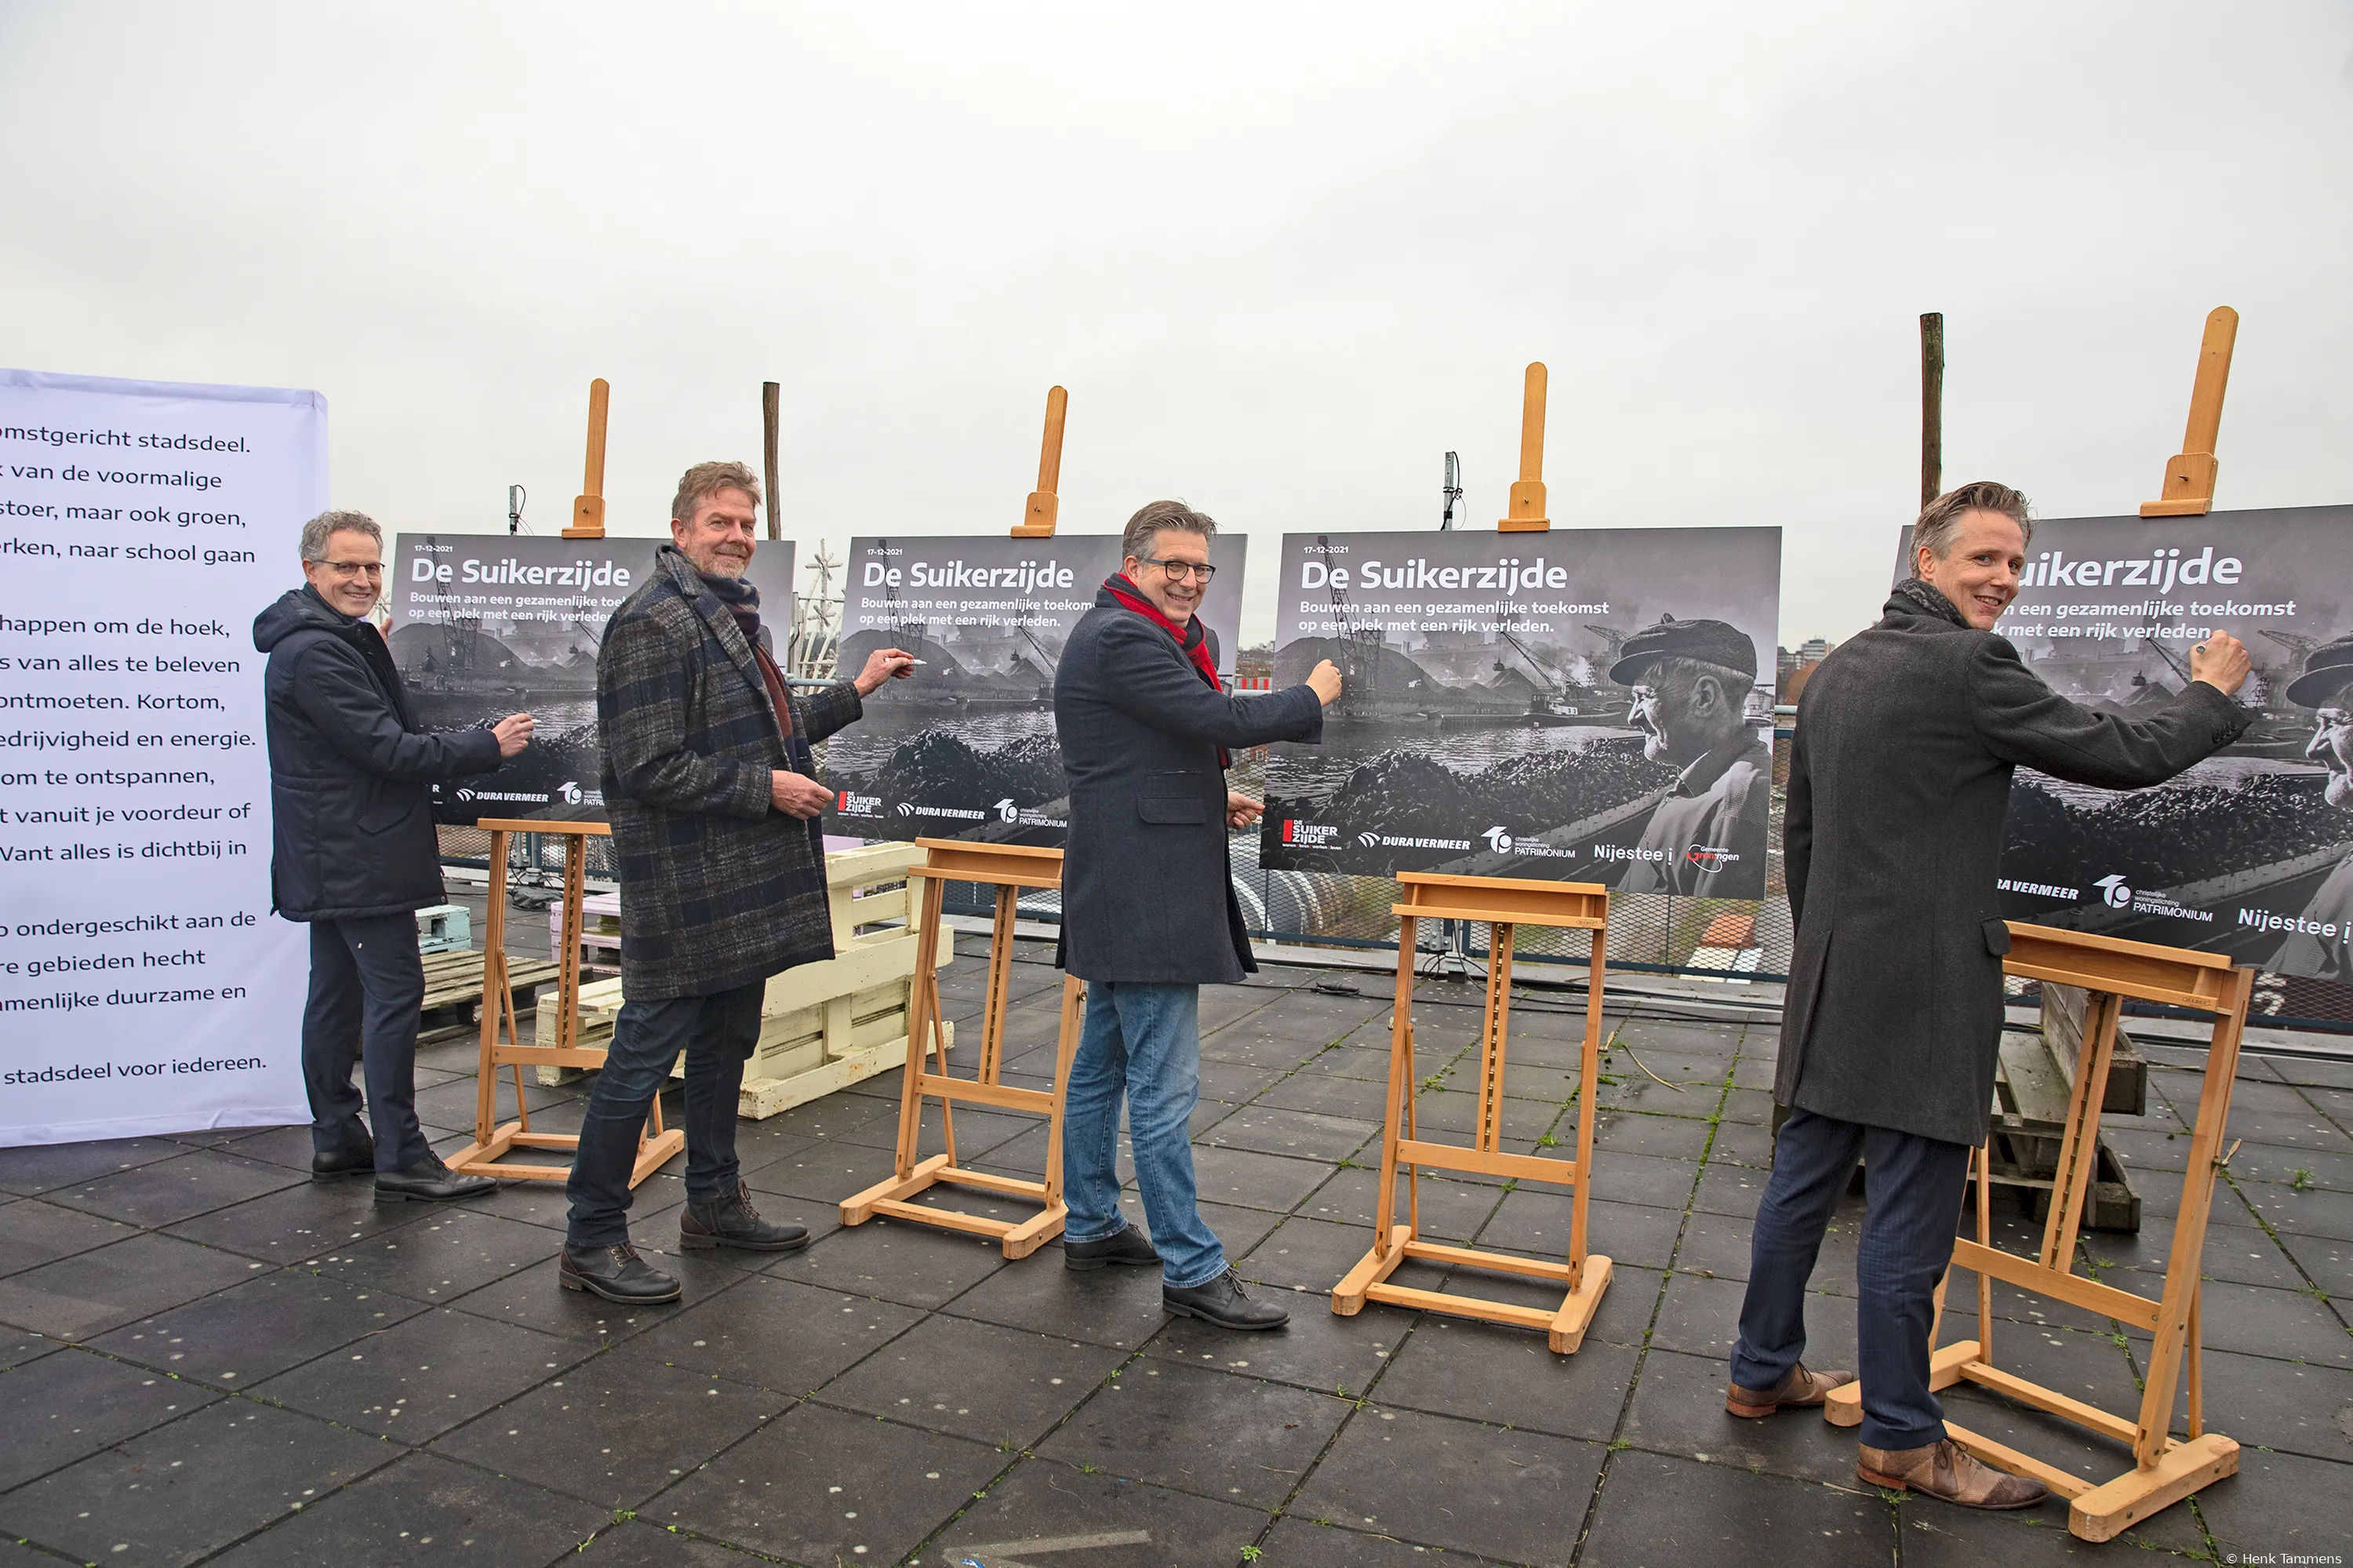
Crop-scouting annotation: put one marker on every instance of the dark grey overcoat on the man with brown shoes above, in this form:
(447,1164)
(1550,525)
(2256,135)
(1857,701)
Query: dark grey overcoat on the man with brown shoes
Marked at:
(1898,797)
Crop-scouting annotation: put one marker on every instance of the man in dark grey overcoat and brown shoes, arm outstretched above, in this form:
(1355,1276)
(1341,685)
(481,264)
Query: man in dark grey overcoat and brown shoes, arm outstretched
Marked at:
(1898,797)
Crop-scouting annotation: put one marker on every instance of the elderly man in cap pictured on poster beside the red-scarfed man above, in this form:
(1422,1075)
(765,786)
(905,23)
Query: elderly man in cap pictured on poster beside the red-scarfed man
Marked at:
(1691,700)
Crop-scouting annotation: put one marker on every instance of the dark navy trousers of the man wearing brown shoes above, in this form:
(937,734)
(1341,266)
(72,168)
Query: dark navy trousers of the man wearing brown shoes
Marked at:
(1914,1190)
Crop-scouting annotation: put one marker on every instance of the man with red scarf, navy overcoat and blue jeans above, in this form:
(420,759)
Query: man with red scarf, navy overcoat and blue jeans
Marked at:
(1147,898)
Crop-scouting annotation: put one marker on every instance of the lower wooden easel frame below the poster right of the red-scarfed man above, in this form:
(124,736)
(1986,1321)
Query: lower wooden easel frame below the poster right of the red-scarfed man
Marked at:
(1502,905)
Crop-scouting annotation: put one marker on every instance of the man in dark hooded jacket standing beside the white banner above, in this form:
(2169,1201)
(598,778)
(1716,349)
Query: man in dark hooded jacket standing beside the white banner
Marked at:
(354,853)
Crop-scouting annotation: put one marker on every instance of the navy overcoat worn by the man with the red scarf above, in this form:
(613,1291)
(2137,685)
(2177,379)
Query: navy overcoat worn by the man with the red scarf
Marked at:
(1147,891)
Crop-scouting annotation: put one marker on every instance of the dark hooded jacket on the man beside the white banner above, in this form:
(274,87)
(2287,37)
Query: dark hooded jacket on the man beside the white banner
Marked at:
(352,776)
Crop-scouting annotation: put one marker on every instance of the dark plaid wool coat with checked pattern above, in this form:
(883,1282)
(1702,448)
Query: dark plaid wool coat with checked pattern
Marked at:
(719,889)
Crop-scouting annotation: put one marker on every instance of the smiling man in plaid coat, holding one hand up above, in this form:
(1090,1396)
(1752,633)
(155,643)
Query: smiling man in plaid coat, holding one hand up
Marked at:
(714,806)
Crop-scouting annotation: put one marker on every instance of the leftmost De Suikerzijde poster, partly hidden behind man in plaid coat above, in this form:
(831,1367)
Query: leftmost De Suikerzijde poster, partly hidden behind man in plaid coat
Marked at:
(493,625)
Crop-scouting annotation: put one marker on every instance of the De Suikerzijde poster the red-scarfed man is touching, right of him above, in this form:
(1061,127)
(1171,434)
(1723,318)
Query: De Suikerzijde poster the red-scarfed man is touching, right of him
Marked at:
(1575,705)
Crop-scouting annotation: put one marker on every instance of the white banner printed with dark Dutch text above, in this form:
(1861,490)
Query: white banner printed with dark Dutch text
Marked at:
(145,985)
